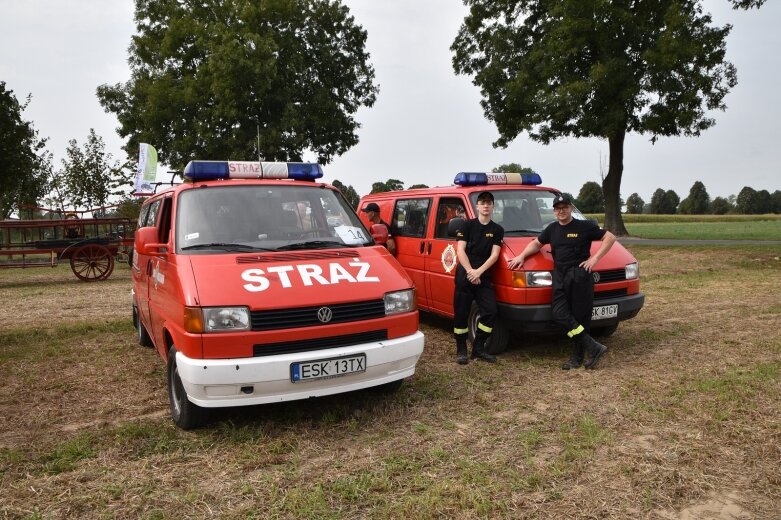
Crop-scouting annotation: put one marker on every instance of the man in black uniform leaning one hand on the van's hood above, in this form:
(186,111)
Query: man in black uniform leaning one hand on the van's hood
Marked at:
(573,285)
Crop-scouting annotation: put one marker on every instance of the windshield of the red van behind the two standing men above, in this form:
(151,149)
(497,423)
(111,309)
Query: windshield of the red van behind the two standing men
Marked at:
(524,212)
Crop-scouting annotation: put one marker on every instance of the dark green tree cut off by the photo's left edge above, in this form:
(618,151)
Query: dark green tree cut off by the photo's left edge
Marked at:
(22,156)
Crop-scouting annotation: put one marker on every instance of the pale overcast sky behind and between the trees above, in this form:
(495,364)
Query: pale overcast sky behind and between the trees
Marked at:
(427,123)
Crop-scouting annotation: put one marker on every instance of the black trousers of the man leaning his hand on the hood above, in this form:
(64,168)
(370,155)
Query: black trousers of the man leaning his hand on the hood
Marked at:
(573,298)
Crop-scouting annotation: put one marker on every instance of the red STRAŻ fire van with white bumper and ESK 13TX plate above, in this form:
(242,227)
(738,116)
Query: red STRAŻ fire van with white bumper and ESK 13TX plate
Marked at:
(259,284)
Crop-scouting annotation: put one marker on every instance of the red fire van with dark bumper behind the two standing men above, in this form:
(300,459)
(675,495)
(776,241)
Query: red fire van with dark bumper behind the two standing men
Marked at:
(419,221)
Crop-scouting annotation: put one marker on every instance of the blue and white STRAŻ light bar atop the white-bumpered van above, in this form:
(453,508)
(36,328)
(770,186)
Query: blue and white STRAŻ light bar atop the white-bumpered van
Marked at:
(212,170)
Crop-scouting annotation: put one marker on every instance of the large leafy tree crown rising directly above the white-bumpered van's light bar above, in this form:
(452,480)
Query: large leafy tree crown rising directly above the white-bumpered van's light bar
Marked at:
(214,79)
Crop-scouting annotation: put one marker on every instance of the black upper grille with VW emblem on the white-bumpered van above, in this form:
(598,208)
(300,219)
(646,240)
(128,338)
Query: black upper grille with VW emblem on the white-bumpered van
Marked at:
(307,316)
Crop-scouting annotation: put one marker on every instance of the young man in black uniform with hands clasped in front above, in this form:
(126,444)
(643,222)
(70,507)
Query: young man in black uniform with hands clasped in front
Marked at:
(479,244)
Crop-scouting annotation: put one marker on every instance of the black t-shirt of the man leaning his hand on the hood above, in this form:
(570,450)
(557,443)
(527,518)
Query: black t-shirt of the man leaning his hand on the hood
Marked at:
(571,244)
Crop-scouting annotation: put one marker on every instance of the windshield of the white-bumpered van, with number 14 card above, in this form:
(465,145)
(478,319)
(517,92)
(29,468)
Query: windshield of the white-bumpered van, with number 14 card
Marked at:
(244,218)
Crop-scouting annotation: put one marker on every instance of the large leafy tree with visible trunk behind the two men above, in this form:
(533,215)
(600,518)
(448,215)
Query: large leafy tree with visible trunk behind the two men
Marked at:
(596,69)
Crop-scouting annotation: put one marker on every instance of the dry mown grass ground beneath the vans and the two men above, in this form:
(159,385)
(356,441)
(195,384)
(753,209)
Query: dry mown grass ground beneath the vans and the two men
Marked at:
(682,420)
